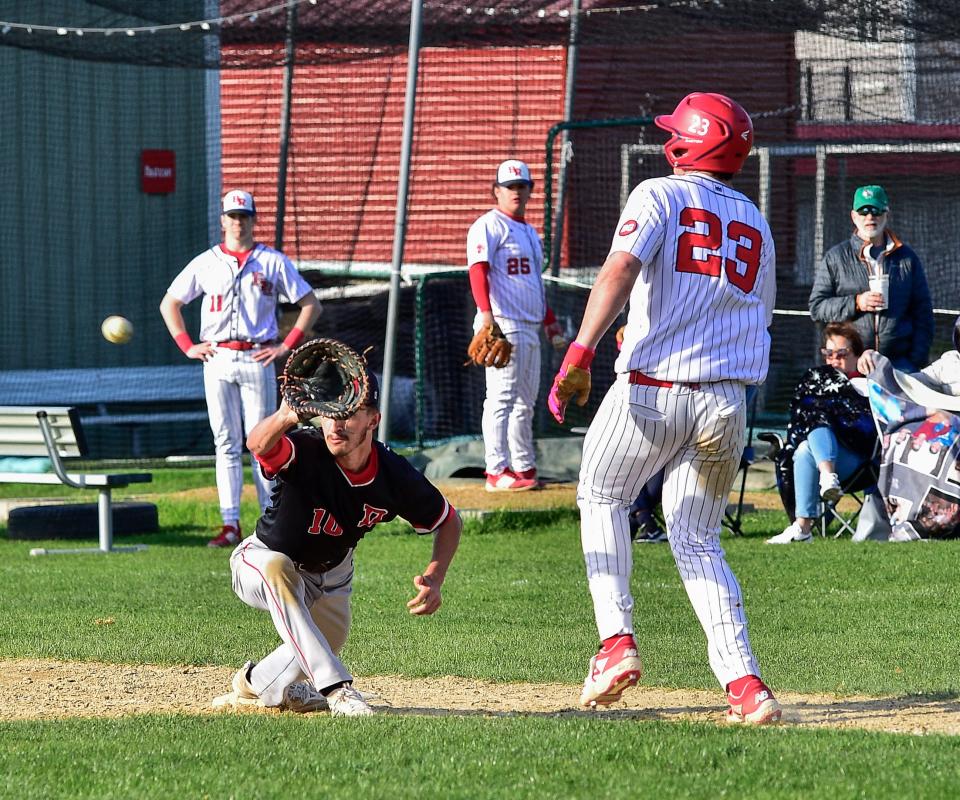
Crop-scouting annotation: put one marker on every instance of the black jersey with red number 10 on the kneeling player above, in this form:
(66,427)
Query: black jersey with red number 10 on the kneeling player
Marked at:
(319,511)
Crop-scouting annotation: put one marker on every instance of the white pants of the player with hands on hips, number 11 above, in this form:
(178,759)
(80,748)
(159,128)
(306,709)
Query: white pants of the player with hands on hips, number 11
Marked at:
(240,392)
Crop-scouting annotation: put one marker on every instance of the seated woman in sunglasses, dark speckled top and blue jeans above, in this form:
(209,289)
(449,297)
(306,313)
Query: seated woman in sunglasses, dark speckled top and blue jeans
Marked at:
(830,435)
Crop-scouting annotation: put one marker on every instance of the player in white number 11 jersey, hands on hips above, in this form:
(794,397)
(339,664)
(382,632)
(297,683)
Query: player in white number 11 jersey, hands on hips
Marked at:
(241,283)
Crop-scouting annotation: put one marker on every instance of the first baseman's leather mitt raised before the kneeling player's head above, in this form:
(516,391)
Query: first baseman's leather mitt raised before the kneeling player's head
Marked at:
(325,378)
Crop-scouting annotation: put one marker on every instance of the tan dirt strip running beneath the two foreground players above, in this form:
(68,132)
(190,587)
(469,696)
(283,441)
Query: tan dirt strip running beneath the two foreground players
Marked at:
(36,690)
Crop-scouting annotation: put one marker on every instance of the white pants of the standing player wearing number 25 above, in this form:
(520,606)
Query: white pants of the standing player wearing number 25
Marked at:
(507,421)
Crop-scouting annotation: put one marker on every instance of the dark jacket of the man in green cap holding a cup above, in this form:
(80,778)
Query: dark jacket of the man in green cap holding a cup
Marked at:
(905,327)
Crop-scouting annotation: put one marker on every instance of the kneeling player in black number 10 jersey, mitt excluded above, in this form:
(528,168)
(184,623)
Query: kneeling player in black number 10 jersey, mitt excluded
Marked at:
(333,486)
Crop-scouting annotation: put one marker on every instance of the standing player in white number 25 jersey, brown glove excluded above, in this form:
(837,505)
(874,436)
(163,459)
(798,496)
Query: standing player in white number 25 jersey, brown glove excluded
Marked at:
(506,259)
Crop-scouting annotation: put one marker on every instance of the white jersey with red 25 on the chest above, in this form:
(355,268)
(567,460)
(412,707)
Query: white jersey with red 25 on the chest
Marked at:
(513,250)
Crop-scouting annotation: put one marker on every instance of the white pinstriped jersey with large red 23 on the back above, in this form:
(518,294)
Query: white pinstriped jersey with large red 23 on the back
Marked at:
(701,306)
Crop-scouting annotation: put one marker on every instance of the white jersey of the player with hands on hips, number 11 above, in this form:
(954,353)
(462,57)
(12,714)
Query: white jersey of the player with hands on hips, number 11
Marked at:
(239,305)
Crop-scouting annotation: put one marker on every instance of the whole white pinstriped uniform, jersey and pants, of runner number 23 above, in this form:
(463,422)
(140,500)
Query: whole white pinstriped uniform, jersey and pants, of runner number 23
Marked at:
(699,312)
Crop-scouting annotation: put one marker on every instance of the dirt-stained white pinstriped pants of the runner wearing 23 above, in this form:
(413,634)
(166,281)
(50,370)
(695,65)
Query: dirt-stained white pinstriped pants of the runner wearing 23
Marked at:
(697,437)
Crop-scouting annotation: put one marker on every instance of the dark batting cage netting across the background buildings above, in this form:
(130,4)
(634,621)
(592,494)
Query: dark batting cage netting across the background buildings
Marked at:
(127,120)
